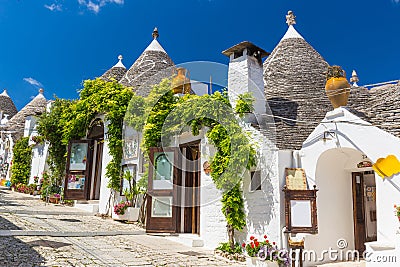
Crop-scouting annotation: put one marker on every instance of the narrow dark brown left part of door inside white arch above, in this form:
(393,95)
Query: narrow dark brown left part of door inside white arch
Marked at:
(358,212)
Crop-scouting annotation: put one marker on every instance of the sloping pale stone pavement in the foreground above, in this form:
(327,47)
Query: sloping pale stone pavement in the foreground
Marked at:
(33,233)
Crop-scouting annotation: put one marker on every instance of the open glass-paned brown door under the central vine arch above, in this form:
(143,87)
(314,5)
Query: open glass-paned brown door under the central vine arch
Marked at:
(162,190)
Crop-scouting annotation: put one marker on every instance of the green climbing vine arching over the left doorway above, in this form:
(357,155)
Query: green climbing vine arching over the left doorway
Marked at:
(74,118)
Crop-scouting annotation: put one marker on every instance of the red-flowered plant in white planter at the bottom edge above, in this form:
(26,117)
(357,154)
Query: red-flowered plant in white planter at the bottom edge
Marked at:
(265,254)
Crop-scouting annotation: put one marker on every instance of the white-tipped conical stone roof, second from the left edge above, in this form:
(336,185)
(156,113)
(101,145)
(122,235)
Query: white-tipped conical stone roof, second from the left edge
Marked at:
(34,108)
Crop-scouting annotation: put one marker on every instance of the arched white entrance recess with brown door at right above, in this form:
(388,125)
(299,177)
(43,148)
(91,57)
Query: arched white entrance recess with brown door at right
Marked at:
(346,201)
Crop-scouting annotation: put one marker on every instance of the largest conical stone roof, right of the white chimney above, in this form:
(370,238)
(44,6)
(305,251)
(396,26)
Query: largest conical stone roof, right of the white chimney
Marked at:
(294,83)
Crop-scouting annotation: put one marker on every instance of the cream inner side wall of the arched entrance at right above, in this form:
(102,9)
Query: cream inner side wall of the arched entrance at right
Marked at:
(334,203)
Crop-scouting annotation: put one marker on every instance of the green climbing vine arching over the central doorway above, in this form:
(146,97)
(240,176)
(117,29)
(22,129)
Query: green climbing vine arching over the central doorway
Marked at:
(162,115)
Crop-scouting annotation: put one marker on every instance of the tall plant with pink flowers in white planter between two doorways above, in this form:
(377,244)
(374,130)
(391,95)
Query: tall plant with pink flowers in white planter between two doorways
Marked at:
(127,210)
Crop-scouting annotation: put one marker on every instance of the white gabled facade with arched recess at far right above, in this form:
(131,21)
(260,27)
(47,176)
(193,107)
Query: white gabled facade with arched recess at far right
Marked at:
(329,163)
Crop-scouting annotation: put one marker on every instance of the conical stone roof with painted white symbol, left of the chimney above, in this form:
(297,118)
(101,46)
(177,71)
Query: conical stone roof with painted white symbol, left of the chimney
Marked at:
(149,69)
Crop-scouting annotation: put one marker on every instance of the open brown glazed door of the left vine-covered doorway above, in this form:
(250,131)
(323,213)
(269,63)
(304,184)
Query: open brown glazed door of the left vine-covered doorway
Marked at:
(77,179)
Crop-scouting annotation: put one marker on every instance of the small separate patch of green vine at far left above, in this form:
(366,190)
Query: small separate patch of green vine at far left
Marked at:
(21,164)
